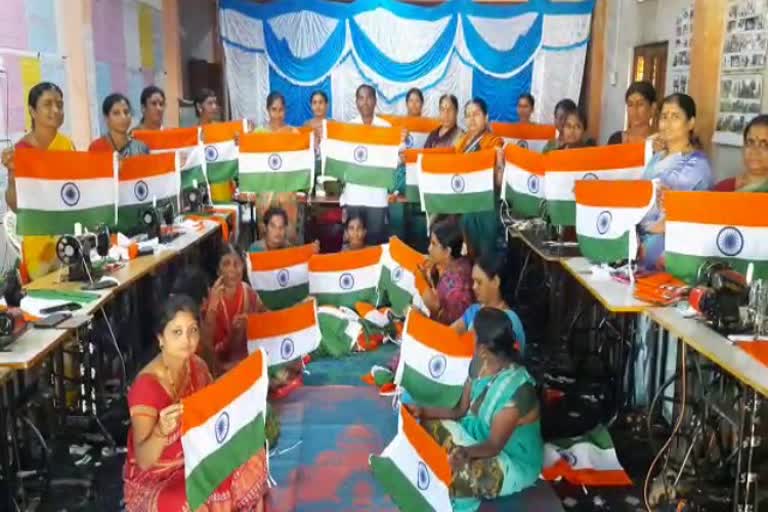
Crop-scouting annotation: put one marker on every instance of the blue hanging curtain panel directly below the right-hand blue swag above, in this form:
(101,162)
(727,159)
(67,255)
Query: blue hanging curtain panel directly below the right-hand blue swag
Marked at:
(501,94)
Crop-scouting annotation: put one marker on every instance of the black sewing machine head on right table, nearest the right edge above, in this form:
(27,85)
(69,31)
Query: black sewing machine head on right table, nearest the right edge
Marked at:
(718,296)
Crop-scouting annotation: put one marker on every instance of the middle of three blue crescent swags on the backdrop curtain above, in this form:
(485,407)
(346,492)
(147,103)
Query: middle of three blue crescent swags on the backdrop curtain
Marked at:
(380,63)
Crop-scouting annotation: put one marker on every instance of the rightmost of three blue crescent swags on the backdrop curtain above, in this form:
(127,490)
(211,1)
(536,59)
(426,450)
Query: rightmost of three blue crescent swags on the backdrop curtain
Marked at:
(495,61)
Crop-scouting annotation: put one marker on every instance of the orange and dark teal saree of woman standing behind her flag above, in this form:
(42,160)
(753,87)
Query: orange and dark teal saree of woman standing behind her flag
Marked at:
(481,229)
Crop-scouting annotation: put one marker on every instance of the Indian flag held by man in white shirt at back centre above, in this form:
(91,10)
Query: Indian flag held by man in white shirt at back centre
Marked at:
(361,154)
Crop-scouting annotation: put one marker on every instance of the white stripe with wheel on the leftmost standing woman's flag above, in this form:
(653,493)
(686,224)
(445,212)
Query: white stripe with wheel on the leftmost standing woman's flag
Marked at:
(57,195)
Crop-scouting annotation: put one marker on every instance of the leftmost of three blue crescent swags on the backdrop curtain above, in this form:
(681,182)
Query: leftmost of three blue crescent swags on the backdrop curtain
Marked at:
(312,68)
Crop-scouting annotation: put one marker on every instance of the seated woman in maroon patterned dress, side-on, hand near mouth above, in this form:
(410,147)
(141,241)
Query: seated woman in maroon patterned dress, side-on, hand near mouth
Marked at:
(449,275)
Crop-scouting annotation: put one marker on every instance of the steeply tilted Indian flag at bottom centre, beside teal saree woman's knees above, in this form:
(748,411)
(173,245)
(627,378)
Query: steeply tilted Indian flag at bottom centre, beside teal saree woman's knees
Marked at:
(414,469)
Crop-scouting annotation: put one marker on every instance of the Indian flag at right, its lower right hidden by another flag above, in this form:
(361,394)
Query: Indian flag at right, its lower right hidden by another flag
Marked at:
(563,168)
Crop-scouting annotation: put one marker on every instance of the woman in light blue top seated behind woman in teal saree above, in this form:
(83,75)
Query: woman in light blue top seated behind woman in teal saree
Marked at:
(489,284)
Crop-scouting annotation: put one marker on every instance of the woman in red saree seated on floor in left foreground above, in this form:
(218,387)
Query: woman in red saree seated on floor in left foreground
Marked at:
(154,467)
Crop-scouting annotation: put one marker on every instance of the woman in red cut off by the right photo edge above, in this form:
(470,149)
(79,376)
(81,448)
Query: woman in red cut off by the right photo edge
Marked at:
(755,178)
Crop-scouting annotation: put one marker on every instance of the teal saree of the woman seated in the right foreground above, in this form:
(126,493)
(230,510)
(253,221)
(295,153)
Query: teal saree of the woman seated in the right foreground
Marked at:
(518,464)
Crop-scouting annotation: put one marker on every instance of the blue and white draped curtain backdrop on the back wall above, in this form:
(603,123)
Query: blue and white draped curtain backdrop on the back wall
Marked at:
(459,47)
